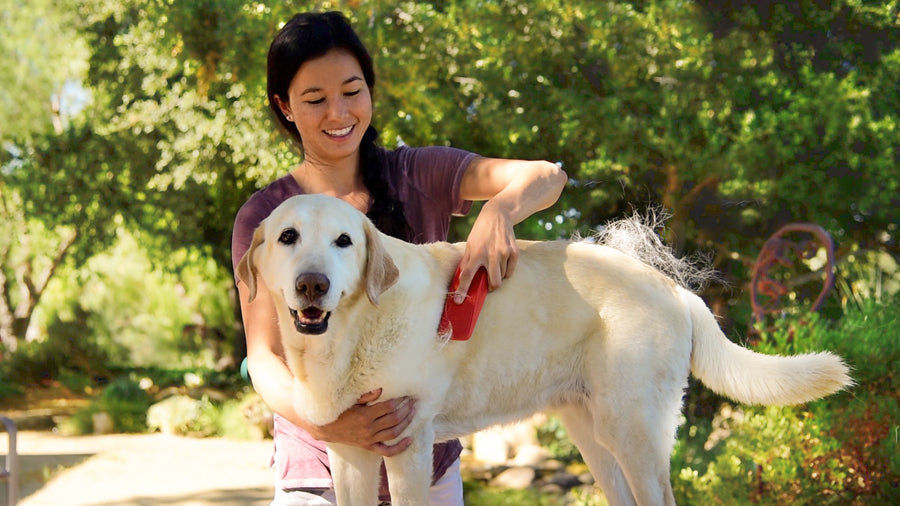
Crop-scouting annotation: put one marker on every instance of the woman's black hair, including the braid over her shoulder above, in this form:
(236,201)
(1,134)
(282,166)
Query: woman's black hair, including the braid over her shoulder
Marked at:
(310,35)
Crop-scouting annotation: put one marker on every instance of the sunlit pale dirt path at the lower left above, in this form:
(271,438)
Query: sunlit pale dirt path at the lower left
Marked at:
(140,470)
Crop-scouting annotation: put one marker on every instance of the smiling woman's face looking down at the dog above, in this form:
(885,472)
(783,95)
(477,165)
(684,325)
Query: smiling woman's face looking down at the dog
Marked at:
(330,103)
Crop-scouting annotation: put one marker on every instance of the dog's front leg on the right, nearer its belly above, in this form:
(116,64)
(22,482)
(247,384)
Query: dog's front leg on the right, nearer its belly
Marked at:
(409,473)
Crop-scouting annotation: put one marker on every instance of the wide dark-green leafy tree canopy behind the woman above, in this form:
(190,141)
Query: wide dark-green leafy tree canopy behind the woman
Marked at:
(737,119)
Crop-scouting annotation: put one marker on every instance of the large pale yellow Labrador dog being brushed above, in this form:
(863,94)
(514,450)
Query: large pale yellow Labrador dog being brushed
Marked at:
(600,338)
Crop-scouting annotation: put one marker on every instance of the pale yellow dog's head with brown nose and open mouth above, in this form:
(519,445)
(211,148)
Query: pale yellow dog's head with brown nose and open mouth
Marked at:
(312,252)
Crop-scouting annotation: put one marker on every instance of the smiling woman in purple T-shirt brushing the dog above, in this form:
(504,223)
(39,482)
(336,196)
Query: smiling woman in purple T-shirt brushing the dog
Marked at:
(320,80)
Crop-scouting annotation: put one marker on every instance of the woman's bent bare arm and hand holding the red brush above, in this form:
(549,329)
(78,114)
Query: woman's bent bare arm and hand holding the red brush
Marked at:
(514,190)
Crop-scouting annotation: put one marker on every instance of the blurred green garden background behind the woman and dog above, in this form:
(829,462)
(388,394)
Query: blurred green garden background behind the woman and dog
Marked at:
(131,132)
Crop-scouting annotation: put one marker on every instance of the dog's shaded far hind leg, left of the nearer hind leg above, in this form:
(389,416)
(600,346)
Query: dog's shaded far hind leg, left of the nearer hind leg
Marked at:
(580,425)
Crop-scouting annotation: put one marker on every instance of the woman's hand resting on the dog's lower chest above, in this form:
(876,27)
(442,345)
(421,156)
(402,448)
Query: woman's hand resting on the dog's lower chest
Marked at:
(370,426)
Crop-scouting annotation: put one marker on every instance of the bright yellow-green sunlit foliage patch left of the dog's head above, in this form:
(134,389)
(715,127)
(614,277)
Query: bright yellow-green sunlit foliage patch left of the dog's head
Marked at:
(172,314)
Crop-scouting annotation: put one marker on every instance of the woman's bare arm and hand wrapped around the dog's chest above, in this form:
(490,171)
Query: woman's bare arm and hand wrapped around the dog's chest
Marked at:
(364,425)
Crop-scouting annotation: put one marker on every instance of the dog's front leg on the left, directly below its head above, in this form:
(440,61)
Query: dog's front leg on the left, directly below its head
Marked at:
(355,473)
